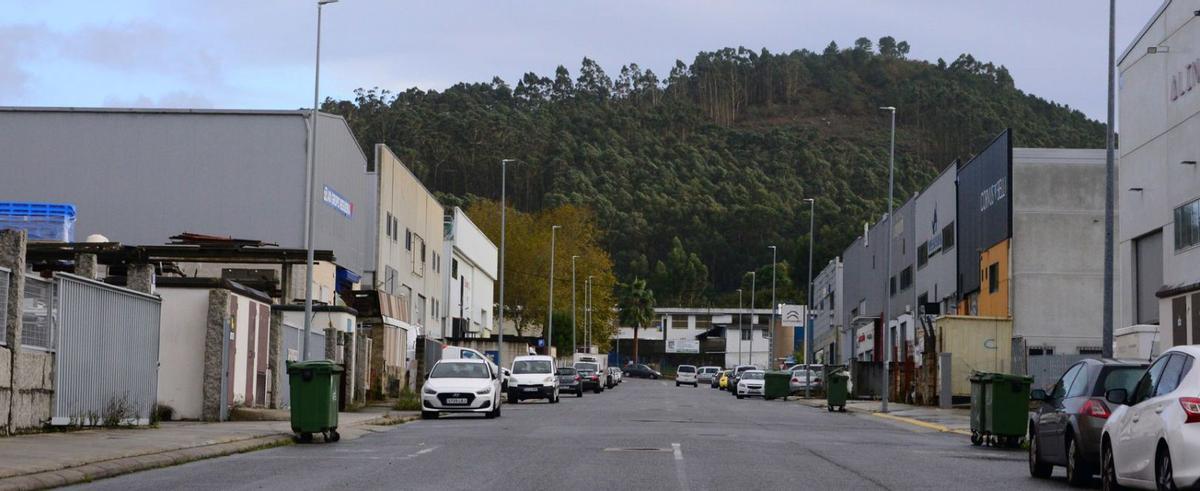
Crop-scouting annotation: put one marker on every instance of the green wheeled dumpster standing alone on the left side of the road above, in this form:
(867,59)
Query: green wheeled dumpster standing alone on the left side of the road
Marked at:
(314,387)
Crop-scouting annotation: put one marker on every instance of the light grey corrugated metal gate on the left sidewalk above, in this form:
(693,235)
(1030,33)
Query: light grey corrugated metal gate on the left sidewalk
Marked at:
(107,363)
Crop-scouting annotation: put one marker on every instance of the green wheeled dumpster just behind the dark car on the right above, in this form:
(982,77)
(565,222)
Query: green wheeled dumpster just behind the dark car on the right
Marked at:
(1000,406)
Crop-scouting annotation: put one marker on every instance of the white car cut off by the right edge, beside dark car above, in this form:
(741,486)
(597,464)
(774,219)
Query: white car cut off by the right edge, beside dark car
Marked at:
(1153,439)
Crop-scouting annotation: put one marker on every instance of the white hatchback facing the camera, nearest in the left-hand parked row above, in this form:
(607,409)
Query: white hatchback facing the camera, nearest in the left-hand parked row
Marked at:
(461,386)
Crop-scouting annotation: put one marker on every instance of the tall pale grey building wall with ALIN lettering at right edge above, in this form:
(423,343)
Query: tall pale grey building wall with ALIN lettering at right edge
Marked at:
(1159,129)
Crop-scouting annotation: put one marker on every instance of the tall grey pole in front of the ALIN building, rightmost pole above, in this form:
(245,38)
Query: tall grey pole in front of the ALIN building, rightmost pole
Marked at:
(1109,184)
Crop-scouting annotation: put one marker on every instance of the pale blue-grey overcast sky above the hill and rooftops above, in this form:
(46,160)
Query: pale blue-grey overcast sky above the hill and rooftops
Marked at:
(260,53)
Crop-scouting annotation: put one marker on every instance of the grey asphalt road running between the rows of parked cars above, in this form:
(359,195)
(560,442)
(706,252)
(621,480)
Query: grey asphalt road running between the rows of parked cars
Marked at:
(641,435)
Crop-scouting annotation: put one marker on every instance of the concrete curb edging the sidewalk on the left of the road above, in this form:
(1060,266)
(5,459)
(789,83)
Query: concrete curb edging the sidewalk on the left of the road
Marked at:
(109,469)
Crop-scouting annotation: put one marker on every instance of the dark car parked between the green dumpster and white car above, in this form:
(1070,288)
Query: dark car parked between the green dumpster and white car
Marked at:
(1066,429)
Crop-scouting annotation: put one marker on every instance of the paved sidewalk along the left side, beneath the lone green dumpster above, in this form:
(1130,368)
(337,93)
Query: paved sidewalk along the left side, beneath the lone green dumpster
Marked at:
(58,459)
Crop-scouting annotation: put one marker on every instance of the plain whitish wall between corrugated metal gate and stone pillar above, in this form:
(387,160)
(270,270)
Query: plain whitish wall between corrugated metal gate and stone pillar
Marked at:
(182,351)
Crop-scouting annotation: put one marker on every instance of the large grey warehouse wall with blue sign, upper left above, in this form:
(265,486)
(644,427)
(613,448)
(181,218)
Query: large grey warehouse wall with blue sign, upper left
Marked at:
(141,176)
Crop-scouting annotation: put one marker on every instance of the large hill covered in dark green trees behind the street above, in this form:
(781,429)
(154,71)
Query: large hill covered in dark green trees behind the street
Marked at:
(719,153)
